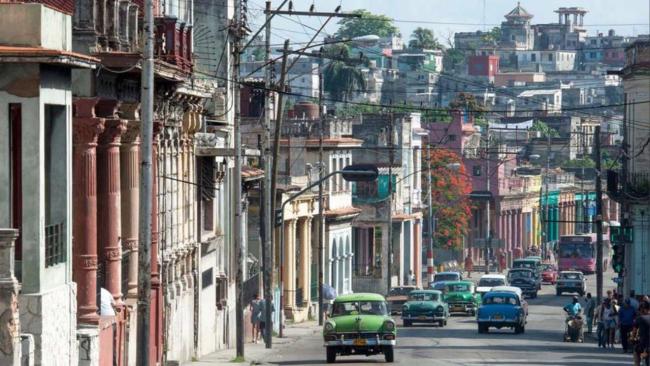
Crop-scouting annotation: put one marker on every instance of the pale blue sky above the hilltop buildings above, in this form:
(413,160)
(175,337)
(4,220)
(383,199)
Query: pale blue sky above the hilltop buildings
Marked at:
(627,17)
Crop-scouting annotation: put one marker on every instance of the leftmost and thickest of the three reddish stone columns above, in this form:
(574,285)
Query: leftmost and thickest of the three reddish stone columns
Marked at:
(86,128)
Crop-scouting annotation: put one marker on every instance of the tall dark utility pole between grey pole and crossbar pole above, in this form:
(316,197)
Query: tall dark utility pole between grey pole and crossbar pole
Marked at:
(238,29)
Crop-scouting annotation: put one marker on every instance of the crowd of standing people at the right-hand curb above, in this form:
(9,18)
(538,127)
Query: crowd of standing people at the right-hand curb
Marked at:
(627,319)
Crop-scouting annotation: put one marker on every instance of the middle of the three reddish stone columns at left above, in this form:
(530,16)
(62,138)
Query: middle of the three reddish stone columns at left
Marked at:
(109,215)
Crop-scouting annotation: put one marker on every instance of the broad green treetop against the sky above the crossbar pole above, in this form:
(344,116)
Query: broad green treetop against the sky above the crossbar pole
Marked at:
(368,24)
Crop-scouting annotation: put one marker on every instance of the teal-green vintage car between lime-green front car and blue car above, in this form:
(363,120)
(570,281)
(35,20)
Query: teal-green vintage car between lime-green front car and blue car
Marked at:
(425,306)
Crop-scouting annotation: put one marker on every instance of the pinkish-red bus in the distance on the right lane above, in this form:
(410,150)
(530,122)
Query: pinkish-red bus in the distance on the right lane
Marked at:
(578,252)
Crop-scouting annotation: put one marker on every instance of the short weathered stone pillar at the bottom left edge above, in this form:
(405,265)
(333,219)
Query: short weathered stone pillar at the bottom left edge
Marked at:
(10,348)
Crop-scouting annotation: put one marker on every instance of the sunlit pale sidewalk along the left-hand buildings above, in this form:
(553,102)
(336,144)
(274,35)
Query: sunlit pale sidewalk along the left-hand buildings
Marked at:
(257,353)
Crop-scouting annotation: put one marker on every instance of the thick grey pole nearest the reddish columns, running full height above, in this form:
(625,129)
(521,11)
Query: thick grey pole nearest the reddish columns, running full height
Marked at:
(146,179)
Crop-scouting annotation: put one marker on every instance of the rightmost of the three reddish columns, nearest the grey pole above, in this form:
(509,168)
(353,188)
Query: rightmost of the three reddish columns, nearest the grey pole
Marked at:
(130,195)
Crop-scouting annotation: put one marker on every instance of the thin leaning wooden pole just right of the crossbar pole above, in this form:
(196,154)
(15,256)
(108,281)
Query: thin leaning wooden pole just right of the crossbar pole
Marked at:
(274,169)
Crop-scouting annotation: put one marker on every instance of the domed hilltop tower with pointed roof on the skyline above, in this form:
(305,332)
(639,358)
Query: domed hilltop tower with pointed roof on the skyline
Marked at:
(516,31)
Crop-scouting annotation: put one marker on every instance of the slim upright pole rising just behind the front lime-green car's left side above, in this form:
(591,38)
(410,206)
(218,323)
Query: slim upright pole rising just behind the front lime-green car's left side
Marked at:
(321,202)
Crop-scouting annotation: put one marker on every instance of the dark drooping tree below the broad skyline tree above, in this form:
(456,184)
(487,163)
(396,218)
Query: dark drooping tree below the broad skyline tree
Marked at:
(341,79)
